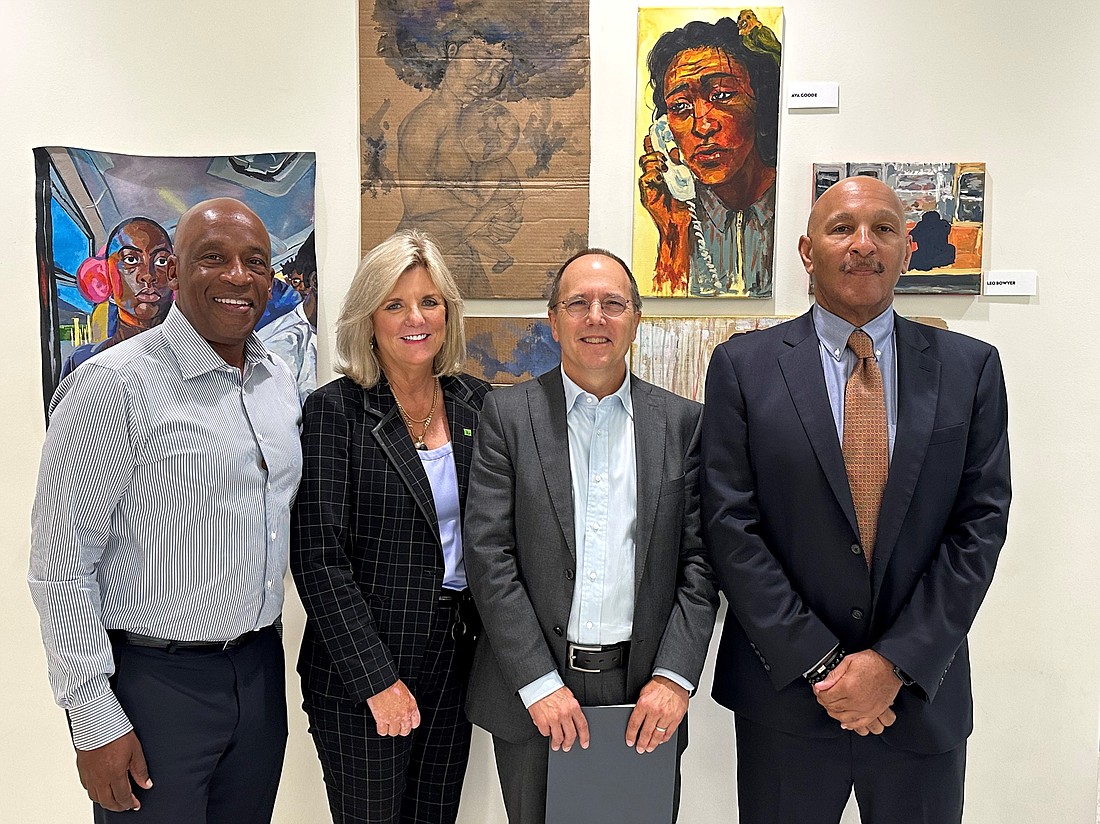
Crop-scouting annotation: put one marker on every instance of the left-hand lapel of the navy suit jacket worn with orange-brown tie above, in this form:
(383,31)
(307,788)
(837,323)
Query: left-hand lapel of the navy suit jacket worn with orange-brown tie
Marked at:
(802,371)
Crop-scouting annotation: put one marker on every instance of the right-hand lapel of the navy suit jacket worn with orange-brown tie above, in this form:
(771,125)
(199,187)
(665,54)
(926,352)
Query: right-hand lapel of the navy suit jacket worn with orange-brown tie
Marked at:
(918,397)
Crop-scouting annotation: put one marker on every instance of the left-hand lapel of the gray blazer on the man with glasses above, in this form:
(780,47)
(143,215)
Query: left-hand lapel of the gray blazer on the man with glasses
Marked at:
(547,404)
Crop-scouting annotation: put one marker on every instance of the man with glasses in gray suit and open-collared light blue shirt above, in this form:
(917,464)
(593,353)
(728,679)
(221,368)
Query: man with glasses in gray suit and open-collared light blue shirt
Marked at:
(582,544)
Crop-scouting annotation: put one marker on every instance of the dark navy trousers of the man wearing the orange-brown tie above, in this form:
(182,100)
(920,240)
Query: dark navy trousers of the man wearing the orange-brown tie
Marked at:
(789,779)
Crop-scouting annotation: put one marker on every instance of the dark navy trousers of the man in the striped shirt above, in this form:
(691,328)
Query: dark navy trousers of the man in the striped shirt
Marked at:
(213,727)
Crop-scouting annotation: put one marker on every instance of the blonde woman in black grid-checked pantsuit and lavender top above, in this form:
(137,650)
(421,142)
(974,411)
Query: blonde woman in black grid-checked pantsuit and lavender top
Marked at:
(377,544)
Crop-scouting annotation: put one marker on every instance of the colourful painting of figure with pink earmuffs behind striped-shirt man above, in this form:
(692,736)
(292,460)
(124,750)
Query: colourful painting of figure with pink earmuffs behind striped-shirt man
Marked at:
(105,233)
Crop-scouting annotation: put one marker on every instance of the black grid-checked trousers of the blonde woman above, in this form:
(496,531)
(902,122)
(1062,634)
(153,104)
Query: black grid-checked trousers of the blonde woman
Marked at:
(414,779)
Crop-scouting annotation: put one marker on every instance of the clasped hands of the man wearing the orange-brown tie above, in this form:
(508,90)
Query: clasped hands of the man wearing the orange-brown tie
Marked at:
(860,691)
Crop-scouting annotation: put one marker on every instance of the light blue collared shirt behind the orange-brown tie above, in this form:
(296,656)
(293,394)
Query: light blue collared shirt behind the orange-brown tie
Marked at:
(839,362)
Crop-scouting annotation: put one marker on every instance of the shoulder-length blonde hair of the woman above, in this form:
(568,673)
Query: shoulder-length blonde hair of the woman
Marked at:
(373,283)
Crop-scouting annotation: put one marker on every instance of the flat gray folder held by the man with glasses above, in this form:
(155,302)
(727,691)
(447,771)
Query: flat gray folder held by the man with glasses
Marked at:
(611,783)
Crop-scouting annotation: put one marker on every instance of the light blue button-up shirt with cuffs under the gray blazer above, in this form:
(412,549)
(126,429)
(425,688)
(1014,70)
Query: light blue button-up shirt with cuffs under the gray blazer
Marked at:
(603,468)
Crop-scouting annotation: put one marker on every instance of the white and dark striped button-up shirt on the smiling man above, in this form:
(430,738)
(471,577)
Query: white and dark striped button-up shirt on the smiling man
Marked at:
(162,508)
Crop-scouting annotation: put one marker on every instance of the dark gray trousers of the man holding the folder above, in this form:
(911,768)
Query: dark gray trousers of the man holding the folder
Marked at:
(523,767)
